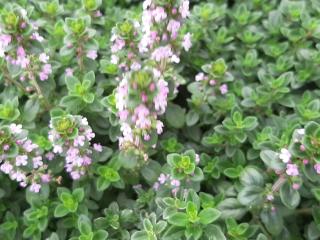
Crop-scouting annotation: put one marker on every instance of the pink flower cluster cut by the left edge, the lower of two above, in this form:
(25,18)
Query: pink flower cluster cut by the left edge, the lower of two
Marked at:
(21,159)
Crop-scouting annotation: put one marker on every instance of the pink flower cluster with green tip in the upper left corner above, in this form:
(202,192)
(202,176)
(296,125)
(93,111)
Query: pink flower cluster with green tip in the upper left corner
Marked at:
(25,63)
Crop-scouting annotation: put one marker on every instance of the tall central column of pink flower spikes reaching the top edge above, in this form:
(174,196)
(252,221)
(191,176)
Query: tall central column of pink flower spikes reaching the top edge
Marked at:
(143,90)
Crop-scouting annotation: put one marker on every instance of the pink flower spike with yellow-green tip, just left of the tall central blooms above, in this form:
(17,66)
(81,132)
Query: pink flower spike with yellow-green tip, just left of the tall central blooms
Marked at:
(70,137)
